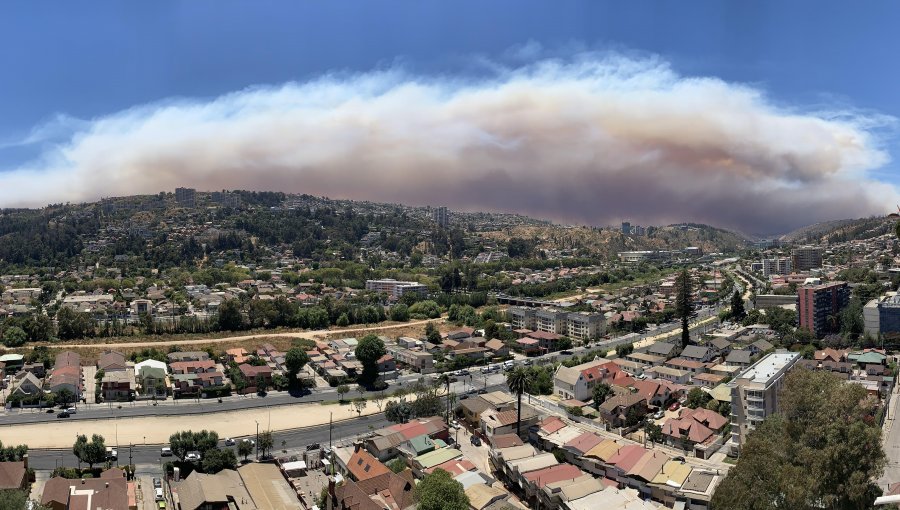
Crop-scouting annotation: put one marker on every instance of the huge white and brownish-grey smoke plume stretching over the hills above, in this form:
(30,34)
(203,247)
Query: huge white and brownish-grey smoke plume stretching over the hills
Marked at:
(594,140)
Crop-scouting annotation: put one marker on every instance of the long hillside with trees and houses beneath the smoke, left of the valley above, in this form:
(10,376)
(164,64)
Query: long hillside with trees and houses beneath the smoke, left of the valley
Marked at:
(156,231)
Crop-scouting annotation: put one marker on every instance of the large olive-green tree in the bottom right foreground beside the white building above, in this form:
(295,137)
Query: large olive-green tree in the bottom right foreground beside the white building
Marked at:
(823,450)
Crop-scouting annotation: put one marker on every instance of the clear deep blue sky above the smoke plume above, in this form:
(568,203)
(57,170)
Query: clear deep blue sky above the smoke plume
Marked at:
(94,59)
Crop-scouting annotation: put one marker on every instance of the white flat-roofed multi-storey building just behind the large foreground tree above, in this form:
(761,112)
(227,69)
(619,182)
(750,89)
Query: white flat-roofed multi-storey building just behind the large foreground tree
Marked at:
(754,393)
